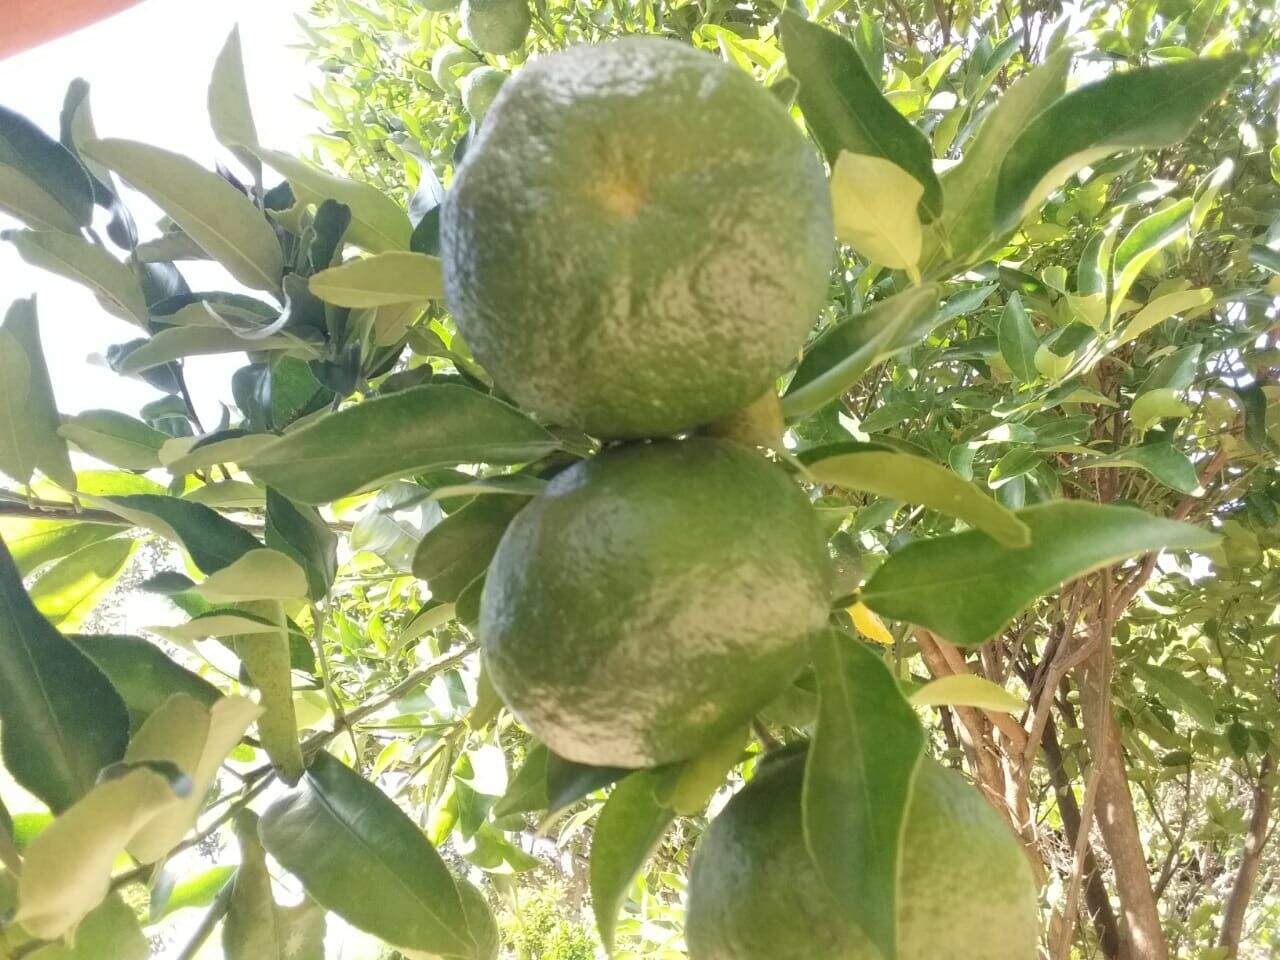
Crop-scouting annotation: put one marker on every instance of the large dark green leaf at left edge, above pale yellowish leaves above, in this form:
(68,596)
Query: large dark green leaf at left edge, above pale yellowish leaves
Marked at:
(61,720)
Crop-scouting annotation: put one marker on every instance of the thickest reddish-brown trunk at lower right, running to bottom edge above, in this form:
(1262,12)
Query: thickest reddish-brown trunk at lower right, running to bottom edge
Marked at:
(1144,940)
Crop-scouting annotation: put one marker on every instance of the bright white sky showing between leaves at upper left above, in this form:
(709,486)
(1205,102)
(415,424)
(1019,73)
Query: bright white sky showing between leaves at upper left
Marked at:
(149,72)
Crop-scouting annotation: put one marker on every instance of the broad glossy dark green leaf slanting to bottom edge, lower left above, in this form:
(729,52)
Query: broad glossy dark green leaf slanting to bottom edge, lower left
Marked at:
(359,856)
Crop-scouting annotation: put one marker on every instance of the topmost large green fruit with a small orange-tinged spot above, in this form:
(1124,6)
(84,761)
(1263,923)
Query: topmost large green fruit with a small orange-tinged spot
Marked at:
(639,240)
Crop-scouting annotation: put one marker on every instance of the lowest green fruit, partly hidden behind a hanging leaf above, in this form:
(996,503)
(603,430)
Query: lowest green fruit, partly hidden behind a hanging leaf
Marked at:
(967,892)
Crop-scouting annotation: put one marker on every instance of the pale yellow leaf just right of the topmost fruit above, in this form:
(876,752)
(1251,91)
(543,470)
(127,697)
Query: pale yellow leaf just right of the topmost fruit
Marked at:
(875,203)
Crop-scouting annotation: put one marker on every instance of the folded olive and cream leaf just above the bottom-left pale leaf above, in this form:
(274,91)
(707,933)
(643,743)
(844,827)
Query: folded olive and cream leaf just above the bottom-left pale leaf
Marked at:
(196,739)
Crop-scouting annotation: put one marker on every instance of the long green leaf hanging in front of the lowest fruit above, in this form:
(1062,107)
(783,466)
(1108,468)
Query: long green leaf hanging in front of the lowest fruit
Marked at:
(858,784)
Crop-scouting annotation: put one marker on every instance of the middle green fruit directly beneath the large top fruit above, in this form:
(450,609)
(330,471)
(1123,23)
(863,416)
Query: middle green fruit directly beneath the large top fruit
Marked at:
(653,600)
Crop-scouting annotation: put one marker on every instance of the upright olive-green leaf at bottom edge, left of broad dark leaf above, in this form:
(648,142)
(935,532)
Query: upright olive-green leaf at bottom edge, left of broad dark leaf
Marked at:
(259,929)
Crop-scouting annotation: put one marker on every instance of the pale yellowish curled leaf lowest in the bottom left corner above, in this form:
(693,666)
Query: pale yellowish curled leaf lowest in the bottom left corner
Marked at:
(67,868)
